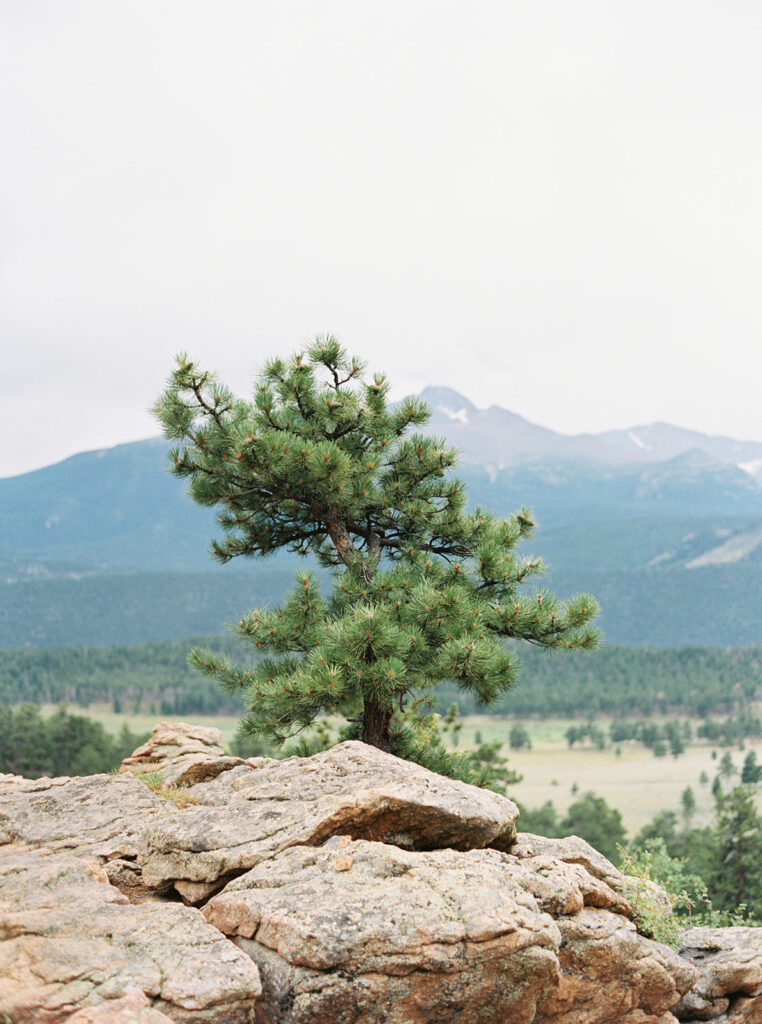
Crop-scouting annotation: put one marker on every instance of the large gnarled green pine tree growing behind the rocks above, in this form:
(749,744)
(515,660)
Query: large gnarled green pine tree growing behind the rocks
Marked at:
(424,591)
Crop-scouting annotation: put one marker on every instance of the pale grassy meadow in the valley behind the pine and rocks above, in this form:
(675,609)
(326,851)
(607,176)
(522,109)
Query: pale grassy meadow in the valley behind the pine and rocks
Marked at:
(637,783)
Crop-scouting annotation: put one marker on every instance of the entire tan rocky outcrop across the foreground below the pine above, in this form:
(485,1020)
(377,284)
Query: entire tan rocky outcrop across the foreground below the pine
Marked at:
(348,888)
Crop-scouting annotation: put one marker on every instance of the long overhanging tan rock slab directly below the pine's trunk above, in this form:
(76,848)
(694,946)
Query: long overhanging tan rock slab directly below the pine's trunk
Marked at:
(352,790)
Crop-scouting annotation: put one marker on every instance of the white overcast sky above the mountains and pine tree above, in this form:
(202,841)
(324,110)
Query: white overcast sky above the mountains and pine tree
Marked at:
(556,207)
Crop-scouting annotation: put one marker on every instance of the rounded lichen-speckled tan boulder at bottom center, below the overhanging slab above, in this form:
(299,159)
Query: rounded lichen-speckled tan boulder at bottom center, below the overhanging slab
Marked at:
(444,936)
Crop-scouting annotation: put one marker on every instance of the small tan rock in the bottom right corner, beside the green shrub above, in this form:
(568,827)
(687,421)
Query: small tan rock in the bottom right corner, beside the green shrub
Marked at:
(730,966)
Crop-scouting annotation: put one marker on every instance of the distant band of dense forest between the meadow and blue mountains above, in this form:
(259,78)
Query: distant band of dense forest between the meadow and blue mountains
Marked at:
(615,681)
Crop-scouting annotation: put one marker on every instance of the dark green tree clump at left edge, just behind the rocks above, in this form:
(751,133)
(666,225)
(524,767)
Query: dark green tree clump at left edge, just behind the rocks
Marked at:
(60,744)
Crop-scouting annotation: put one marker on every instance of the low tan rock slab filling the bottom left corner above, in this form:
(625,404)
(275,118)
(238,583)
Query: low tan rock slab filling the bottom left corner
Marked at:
(72,942)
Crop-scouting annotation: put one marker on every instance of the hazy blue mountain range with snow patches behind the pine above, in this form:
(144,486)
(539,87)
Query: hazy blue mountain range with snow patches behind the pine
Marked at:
(664,525)
